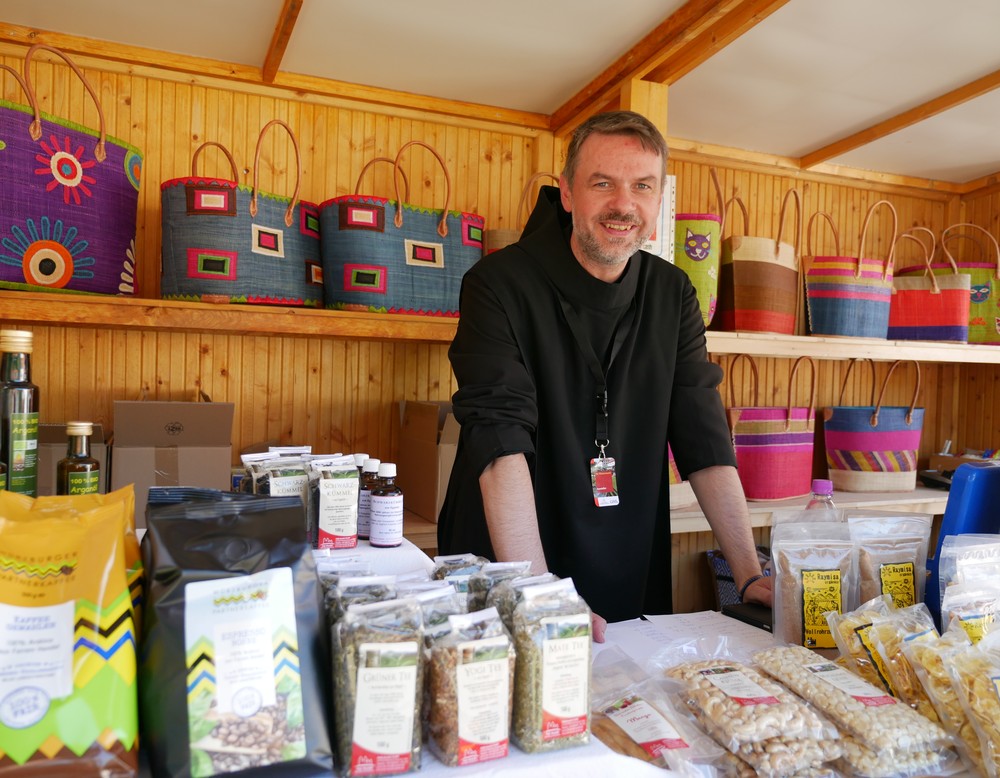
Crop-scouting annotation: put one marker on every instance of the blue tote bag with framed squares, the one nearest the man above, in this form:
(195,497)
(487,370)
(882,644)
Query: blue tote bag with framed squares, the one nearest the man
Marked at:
(390,257)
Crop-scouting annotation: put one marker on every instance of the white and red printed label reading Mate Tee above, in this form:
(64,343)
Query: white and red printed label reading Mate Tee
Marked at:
(565,676)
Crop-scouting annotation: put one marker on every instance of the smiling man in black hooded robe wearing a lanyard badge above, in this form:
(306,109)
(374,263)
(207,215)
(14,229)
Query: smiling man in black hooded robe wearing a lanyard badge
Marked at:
(578,357)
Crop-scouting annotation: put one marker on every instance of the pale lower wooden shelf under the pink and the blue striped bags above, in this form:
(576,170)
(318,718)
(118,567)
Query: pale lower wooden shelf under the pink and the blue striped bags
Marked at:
(920,500)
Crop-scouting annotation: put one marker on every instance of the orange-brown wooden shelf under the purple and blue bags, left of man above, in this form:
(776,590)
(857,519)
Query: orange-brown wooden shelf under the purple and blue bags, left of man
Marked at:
(175,316)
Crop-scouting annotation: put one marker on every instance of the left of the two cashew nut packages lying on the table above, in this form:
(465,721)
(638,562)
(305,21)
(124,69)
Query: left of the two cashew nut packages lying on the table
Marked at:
(769,728)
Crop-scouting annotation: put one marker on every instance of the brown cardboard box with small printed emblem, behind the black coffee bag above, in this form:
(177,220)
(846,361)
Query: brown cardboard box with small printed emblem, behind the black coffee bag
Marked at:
(170,444)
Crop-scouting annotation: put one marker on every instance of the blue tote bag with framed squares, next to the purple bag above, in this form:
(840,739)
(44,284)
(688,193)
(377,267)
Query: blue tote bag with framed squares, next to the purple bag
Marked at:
(225,242)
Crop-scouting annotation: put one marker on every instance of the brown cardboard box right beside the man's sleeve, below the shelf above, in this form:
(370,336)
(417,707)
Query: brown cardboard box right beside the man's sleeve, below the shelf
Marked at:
(428,441)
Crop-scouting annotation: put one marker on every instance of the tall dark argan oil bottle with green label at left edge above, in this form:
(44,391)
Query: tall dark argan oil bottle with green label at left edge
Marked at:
(19,402)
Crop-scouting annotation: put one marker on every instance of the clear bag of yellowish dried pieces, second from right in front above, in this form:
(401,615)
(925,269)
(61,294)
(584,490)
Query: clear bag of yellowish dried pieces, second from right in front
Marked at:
(930,661)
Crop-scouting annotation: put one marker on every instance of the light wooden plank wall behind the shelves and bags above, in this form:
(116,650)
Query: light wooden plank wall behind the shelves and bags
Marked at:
(338,394)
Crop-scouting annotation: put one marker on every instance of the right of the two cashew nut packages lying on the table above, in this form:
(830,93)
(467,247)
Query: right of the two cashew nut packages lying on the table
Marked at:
(876,719)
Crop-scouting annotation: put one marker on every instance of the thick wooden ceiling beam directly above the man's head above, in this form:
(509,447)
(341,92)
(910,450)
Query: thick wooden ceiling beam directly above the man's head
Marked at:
(680,38)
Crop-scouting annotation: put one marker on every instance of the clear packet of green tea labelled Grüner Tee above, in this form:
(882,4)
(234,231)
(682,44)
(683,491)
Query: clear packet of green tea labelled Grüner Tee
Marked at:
(378,669)
